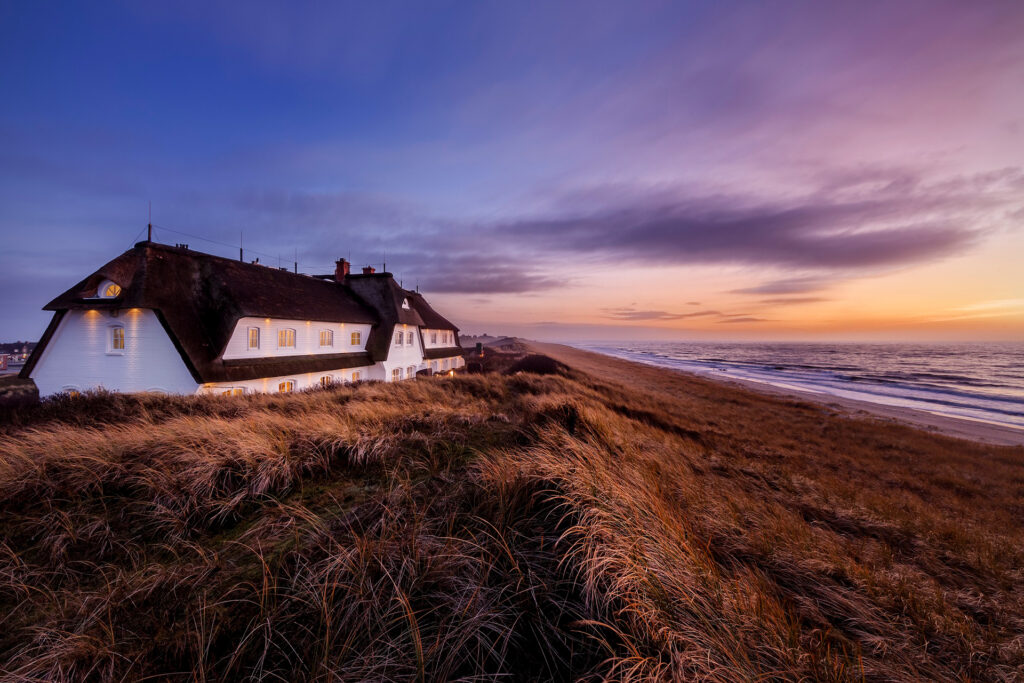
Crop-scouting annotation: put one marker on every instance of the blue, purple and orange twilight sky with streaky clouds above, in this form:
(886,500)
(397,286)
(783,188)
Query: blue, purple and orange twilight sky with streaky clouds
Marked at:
(566,172)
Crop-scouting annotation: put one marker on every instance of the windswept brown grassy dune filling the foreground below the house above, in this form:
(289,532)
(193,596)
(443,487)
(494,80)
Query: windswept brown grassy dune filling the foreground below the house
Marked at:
(544,527)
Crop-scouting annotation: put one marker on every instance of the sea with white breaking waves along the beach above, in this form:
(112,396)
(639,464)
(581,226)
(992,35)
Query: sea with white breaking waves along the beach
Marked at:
(977,381)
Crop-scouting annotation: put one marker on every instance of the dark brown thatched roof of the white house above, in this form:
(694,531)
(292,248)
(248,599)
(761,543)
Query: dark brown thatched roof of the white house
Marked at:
(199,298)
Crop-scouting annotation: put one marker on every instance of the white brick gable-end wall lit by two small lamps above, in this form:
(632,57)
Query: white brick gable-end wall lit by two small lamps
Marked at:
(78,357)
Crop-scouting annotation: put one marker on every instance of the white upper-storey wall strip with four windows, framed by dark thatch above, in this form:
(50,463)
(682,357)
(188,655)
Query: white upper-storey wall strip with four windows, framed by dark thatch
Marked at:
(307,338)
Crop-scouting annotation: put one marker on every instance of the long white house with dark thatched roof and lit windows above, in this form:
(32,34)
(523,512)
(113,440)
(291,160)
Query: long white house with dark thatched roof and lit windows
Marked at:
(177,321)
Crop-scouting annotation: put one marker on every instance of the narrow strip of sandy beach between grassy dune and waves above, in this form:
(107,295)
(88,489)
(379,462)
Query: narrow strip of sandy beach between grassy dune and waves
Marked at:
(977,432)
